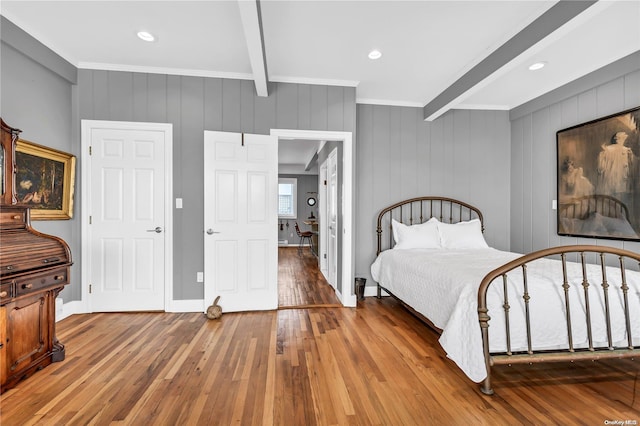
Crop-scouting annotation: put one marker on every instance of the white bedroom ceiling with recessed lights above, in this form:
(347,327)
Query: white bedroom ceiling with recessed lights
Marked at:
(427,46)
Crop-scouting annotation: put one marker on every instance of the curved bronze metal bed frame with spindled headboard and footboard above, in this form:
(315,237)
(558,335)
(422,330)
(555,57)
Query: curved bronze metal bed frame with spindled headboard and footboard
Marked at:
(421,209)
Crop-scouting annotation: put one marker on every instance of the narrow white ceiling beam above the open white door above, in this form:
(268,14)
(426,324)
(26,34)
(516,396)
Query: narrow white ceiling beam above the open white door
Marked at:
(252,26)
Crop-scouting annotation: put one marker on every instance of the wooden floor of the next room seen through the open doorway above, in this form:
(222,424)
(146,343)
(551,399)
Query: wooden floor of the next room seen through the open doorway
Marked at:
(300,282)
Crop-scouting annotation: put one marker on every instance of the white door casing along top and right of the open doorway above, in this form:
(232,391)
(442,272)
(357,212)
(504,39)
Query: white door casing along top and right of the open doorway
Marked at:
(347,295)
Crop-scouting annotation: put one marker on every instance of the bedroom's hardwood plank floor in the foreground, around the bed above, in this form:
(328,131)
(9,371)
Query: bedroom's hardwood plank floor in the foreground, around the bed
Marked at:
(376,364)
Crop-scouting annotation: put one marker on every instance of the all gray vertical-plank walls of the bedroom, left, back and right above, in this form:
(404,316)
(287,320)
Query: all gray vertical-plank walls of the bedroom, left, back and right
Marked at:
(507,170)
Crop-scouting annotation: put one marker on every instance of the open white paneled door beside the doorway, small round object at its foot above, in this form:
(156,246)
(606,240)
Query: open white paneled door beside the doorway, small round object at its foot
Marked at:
(241,221)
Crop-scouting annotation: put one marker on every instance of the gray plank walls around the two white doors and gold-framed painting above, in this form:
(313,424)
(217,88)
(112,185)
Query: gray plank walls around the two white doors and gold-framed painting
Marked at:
(40,94)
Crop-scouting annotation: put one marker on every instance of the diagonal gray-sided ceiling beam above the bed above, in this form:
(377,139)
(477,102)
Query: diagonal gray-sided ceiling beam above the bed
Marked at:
(550,21)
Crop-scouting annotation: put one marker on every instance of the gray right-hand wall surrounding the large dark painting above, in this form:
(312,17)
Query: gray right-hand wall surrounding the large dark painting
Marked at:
(534,125)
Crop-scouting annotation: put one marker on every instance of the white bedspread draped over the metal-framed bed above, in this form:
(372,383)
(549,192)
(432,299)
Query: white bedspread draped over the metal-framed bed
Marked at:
(443,286)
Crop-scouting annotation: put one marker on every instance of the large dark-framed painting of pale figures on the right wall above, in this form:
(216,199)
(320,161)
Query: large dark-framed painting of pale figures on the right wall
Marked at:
(599,178)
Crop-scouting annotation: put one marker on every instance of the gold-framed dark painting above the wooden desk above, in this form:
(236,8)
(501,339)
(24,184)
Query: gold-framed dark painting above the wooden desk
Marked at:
(45,180)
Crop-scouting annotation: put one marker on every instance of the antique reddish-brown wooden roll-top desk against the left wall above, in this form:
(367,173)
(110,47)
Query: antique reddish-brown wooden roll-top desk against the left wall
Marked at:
(34,268)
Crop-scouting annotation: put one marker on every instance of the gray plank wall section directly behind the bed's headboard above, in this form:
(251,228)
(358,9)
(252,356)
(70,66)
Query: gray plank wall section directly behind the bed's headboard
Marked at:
(463,154)
